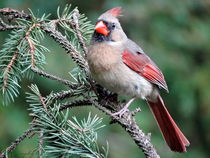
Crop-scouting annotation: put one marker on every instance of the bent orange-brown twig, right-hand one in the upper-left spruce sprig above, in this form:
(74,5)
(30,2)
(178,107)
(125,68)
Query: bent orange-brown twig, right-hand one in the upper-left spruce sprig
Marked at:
(31,46)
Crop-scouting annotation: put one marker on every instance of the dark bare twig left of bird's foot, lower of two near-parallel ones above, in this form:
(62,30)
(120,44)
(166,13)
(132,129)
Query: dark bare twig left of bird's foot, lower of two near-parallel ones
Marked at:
(75,103)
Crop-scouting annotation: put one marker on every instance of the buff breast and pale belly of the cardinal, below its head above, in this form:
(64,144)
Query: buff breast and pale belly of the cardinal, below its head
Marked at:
(108,69)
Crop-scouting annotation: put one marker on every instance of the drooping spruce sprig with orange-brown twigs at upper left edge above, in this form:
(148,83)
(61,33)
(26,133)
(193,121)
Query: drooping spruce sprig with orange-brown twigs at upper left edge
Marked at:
(16,57)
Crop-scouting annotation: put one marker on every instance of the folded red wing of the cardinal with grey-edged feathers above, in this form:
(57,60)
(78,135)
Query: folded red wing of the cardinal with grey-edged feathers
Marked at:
(145,67)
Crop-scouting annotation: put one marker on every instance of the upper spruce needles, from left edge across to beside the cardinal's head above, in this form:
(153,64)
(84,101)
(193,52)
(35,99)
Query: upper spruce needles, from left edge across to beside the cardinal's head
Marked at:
(23,49)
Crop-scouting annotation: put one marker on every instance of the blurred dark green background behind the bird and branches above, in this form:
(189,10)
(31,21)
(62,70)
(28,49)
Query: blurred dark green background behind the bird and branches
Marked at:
(175,34)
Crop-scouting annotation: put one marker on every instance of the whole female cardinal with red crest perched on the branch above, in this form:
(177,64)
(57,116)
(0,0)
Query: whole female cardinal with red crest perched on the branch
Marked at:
(120,65)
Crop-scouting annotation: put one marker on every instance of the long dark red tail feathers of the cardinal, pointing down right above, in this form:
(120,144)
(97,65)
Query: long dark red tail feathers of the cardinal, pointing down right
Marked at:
(171,133)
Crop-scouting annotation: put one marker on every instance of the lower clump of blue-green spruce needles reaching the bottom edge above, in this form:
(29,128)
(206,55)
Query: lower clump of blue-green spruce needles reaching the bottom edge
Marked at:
(63,137)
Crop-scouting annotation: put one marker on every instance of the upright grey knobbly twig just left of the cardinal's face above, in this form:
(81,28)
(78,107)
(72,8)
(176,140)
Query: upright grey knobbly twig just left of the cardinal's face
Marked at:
(78,32)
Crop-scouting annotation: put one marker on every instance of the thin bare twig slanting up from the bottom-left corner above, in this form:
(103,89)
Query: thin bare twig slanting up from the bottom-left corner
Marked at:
(17,141)
